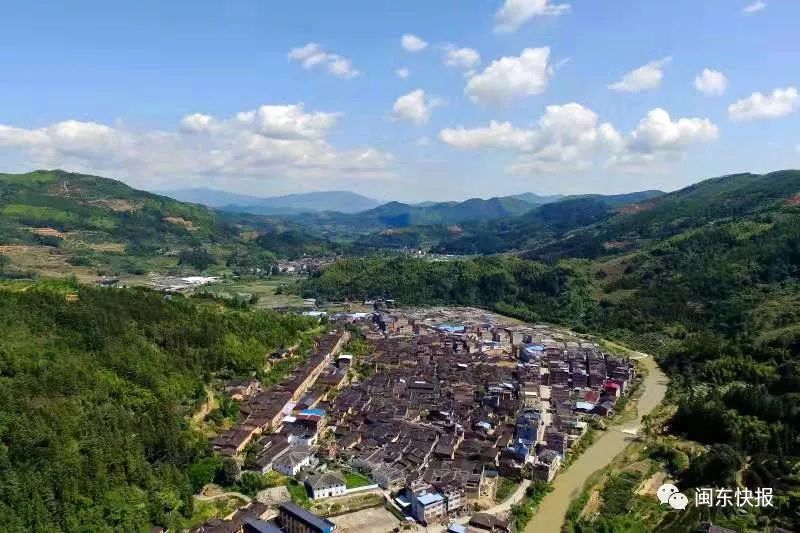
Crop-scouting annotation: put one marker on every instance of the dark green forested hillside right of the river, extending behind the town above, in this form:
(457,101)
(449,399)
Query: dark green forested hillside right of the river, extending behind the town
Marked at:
(711,287)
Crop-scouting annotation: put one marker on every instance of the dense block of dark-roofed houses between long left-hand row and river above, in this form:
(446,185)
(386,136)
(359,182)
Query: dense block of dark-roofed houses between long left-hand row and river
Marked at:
(450,408)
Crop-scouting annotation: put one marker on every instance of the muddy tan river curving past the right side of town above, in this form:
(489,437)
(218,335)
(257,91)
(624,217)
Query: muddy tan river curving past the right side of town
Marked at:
(567,486)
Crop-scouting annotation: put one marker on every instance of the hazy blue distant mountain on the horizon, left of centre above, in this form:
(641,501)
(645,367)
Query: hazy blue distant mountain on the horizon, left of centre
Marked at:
(311,202)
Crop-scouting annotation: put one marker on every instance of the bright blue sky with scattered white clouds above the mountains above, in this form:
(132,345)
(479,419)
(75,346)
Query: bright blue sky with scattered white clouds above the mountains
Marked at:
(178,94)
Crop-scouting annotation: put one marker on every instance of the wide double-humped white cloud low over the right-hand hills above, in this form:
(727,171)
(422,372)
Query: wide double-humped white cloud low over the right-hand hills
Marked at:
(571,138)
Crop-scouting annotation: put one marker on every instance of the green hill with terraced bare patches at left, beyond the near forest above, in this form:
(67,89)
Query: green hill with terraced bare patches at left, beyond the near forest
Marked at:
(101,223)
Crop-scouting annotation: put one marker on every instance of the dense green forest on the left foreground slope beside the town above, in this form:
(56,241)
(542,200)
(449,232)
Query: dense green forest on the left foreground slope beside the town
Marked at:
(95,389)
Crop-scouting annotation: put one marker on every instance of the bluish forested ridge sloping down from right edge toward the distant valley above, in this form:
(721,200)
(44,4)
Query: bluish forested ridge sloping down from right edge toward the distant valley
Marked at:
(593,226)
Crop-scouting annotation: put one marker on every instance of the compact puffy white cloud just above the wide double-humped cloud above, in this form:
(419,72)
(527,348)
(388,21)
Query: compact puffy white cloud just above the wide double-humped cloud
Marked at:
(511,77)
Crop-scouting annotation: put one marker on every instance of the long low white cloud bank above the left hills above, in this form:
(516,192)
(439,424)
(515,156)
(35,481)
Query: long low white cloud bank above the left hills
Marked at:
(270,142)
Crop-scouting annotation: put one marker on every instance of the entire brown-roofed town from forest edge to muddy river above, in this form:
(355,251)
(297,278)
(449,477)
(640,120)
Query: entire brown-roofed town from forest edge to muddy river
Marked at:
(434,419)
